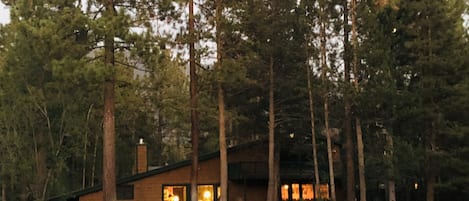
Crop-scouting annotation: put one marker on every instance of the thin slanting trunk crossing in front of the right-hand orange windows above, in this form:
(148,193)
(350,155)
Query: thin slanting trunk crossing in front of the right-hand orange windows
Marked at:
(313,132)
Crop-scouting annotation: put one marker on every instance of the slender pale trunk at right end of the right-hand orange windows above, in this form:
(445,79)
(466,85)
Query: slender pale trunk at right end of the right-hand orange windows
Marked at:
(326,101)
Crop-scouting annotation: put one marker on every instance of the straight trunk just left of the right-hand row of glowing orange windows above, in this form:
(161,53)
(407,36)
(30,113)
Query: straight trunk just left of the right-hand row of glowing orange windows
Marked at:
(272,189)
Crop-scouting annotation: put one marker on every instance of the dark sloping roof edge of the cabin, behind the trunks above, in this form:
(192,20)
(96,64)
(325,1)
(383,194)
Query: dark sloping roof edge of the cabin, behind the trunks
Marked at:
(76,194)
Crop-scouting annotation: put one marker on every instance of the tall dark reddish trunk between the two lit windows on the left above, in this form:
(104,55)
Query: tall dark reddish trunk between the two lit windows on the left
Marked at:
(193,104)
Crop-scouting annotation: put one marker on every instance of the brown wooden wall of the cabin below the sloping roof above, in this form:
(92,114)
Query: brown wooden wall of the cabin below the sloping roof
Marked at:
(151,188)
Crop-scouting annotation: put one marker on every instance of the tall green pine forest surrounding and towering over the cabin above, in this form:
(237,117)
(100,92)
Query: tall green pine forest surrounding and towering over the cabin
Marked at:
(80,78)
